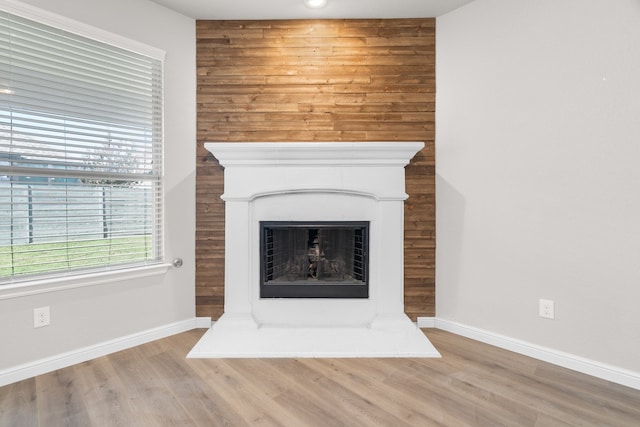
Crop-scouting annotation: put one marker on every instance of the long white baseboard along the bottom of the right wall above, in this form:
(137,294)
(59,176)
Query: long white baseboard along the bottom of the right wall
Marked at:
(580,364)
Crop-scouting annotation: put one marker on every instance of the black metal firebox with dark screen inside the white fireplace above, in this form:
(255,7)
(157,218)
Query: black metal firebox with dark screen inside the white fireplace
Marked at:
(314,260)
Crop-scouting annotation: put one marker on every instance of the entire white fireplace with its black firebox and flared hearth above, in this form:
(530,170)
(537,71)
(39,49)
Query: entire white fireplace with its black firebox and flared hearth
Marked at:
(311,299)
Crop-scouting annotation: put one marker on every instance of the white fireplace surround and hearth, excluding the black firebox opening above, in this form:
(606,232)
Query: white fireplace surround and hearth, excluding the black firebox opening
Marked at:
(343,181)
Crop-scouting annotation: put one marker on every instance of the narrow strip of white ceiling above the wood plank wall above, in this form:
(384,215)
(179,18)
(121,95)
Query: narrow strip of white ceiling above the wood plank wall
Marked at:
(296,9)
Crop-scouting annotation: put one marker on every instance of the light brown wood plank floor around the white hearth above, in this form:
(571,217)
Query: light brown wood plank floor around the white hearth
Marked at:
(473,384)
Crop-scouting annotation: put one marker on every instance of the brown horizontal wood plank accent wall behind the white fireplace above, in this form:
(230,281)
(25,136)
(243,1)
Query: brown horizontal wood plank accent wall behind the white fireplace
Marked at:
(320,80)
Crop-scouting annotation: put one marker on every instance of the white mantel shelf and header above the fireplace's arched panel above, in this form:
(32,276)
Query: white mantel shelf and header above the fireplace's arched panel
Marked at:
(373,169)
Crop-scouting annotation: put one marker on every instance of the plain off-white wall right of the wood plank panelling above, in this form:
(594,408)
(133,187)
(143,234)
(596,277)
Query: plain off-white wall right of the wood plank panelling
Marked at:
(538,163)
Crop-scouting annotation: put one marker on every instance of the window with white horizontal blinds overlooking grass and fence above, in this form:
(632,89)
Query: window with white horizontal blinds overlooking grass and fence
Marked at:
(80,153)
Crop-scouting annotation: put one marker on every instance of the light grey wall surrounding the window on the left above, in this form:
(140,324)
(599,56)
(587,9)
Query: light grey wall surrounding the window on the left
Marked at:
(91,315)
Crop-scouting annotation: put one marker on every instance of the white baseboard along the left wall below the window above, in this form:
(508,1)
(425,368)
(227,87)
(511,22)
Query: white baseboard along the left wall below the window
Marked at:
(63,360)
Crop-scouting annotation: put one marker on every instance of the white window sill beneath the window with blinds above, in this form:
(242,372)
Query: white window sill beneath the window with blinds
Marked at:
(80,281)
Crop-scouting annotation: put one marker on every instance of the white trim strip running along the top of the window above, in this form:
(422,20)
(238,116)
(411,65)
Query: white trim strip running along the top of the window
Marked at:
(58,21)
